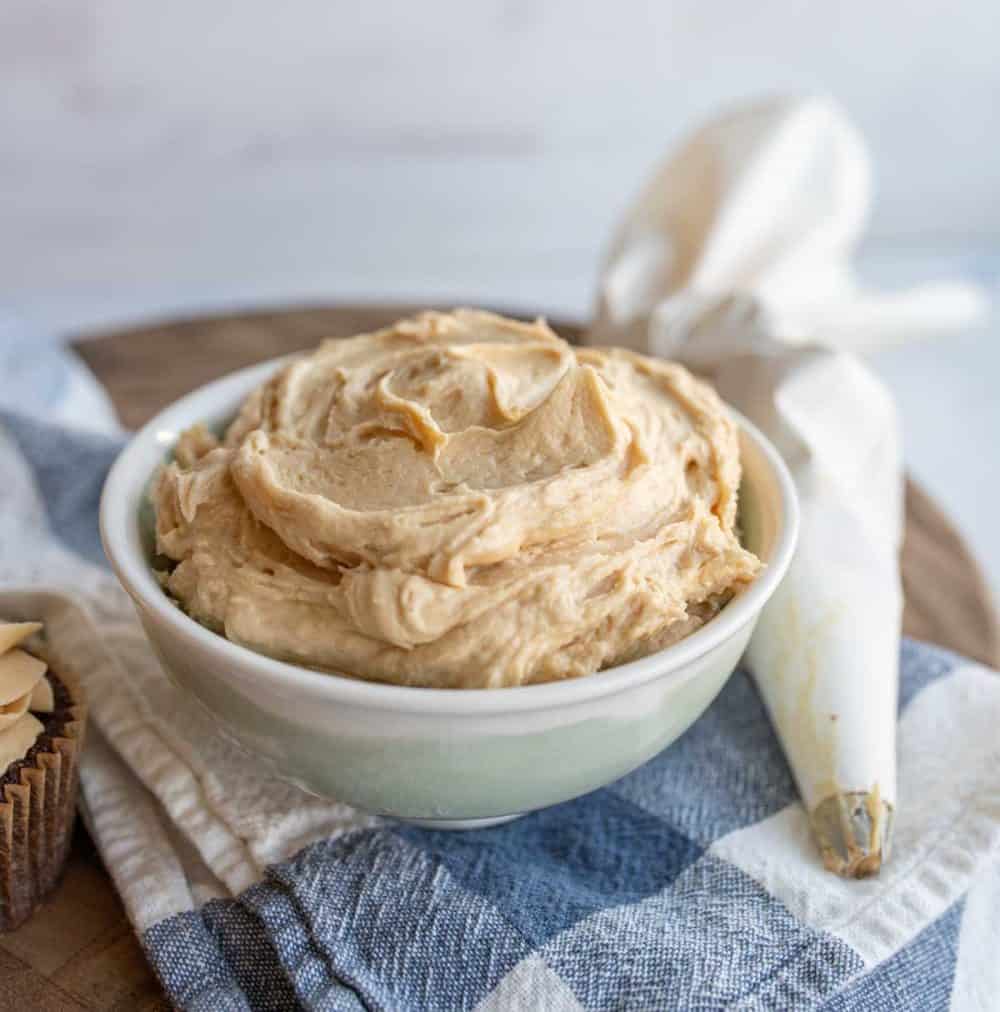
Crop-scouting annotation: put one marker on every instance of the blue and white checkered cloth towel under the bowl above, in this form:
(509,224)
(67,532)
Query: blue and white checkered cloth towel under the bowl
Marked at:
(692,884)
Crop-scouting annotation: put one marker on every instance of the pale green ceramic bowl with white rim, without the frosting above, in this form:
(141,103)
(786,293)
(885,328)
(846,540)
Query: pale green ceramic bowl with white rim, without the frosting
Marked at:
(452,758)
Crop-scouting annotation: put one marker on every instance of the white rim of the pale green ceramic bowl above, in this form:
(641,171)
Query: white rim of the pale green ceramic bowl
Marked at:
(121,499)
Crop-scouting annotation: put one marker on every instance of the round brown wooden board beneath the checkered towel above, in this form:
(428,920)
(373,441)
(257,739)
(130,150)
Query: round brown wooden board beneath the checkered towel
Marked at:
(78,952)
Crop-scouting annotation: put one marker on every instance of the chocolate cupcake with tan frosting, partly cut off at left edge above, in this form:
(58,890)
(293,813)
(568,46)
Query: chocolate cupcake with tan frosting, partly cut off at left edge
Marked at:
(42,723)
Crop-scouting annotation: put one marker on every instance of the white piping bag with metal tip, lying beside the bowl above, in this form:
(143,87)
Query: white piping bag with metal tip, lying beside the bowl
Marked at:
(736,261)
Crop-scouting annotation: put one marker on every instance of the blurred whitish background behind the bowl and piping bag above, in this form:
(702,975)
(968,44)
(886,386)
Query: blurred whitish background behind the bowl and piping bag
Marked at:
(164,157)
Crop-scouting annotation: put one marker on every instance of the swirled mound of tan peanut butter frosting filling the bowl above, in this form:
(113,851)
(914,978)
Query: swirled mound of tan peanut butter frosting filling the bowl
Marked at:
(459,500)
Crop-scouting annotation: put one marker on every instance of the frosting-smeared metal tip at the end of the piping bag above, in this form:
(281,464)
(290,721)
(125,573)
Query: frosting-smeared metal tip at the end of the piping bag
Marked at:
(855,832)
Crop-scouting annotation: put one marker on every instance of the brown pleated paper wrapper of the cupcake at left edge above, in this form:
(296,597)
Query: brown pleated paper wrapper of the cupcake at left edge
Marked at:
(38,812)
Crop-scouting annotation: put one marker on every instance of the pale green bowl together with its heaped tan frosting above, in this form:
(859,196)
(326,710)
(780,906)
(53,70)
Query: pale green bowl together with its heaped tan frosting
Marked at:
(455,570)
